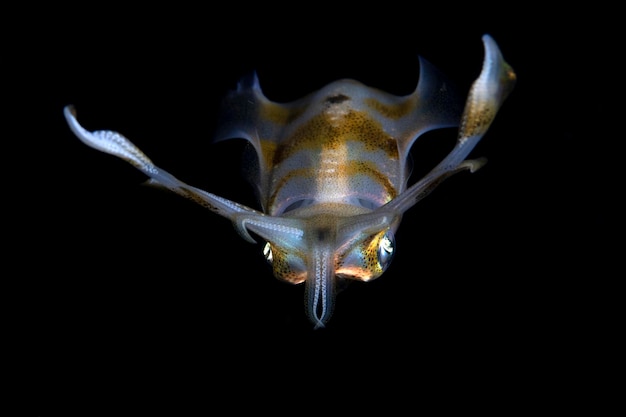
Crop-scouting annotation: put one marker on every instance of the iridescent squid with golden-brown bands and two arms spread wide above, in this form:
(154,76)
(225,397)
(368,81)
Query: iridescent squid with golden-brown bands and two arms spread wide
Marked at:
(331,169)
